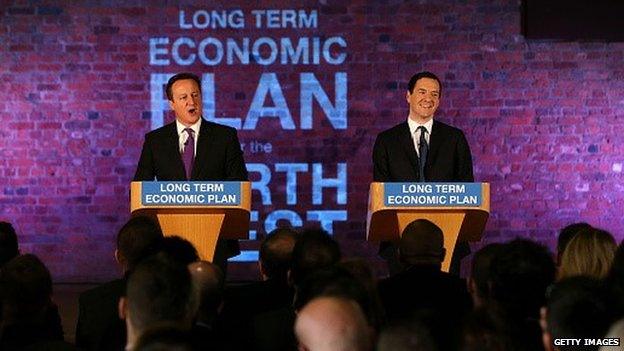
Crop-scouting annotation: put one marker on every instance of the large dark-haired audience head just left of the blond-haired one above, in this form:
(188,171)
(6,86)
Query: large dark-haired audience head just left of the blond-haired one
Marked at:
(520,274)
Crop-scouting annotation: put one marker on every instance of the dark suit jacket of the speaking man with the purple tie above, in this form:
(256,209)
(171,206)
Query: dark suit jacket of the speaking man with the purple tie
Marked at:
(218,156)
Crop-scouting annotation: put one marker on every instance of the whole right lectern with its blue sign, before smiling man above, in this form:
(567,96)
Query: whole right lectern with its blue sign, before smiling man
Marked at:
(461,210)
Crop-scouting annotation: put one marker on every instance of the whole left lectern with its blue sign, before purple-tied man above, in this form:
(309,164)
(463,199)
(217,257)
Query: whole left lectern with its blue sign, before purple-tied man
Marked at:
(200,212)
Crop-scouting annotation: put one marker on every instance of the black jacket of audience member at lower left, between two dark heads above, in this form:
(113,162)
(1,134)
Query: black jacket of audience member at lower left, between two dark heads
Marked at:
(99,326)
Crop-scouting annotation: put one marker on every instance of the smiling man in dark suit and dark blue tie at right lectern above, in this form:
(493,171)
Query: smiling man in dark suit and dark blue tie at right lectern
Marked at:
(421,148)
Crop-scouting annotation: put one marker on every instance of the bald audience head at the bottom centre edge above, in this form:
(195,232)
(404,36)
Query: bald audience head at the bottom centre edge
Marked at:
(333,324)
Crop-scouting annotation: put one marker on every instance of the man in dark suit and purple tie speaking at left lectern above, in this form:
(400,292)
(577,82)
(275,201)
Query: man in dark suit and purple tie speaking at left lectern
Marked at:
(191,148)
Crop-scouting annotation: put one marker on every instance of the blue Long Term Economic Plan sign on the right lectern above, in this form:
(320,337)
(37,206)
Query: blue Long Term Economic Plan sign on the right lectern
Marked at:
(432,194)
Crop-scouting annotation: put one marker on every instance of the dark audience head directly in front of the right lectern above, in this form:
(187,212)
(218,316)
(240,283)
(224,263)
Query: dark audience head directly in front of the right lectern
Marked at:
(422,242)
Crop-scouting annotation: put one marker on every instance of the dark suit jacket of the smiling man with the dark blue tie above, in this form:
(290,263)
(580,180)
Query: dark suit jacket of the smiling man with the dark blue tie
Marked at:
(449,158)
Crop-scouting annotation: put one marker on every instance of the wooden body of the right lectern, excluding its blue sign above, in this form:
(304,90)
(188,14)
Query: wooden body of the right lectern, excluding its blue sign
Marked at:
(458,223)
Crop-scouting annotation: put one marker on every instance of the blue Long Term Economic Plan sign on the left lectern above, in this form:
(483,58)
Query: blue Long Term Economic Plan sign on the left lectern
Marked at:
(191,193)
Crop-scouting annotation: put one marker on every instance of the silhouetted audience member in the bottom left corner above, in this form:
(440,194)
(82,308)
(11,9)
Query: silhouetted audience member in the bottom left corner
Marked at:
(29,318)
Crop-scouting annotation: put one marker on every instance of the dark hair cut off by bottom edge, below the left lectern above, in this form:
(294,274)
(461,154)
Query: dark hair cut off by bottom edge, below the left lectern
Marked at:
(165,338)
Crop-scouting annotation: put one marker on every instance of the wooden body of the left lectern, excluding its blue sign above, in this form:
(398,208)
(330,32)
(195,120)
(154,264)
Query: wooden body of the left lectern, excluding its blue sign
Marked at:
(202,225)
